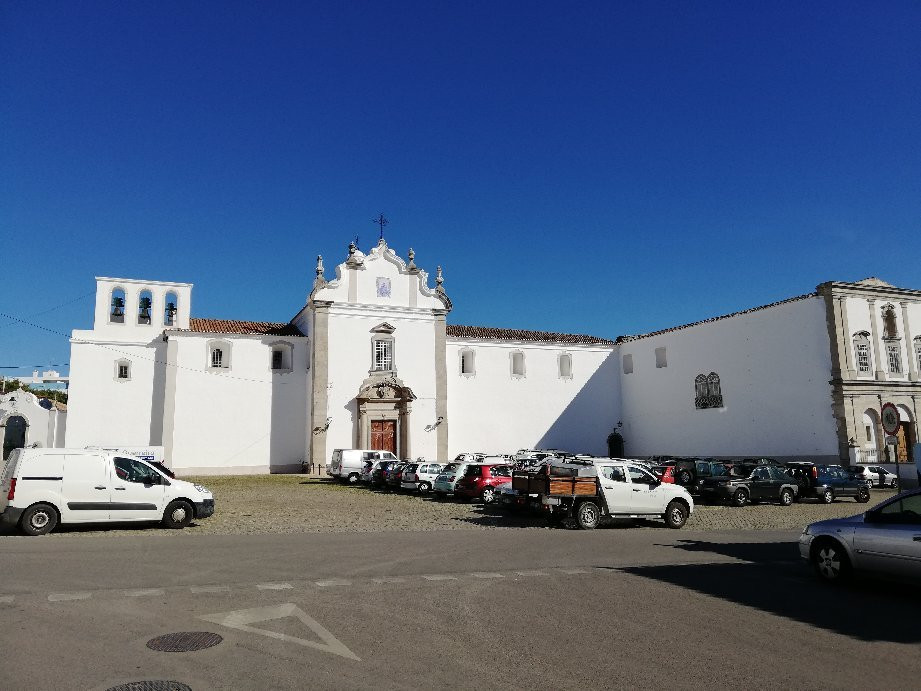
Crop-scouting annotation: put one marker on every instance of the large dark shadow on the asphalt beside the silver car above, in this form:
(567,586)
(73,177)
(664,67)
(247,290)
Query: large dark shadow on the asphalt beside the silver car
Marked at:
(773,579)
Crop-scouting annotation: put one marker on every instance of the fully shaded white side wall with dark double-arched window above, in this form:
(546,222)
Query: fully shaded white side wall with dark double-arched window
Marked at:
(774,366)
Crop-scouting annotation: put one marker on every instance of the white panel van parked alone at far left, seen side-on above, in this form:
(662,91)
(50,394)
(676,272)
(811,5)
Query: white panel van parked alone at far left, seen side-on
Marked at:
(41,488)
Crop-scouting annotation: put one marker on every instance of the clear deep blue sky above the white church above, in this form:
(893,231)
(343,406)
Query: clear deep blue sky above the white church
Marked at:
(601,168)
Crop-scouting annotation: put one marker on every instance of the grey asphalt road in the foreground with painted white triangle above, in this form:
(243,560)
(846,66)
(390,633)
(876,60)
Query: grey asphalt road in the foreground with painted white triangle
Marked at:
(504,609)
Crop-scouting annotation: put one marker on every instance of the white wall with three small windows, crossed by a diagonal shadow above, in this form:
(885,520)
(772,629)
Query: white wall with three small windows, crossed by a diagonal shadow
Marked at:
(495,412)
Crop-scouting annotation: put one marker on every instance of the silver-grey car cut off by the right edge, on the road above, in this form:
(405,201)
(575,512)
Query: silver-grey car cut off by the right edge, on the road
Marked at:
(884,540)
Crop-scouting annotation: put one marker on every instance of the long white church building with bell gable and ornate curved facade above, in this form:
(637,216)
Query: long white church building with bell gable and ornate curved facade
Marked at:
(370,361)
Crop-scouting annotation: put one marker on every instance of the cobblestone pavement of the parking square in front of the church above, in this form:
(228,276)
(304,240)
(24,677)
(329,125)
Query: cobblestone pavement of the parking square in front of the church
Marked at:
(266,504)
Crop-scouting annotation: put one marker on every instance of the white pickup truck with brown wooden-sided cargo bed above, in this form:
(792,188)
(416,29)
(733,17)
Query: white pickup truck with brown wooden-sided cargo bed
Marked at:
(587,491)
